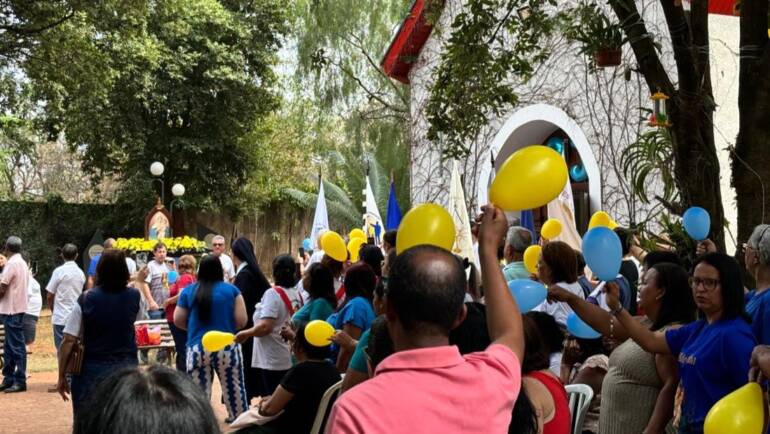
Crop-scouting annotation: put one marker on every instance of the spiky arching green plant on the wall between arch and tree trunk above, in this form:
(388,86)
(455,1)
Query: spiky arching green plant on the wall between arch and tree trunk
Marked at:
(648,158)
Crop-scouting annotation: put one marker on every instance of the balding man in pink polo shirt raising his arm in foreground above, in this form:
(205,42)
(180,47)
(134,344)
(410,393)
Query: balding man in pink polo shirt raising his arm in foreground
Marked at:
(427,386)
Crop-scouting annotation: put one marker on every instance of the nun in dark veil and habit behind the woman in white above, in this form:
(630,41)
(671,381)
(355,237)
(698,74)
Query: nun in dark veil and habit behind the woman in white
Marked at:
(252,283)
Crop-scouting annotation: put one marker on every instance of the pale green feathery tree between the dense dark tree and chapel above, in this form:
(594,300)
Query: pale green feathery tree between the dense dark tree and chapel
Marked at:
(338,48)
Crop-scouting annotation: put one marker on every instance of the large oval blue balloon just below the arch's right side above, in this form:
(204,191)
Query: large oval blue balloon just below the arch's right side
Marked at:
(602,252)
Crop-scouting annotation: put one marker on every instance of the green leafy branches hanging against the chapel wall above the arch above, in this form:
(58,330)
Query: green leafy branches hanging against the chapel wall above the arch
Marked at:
(483,53)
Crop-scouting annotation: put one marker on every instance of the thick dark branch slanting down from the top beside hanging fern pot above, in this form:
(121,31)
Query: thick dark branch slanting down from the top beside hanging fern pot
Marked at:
(641,42)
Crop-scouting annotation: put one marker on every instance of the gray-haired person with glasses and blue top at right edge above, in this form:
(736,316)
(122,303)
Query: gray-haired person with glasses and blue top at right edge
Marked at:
(757,259)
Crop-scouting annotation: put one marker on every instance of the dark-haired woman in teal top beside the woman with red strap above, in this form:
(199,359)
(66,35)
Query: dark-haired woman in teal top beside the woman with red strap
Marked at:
(319,282)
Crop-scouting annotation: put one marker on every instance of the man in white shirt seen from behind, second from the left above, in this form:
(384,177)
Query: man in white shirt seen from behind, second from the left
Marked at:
(63,289)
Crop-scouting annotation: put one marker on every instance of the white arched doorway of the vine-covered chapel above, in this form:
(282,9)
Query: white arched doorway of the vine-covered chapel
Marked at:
(536,124)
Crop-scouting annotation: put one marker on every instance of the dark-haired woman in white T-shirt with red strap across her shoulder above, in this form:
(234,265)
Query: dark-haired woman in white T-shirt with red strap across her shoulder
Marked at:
(271,355)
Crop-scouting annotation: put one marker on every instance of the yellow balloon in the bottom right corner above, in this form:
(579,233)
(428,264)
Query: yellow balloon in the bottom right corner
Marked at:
(740,412)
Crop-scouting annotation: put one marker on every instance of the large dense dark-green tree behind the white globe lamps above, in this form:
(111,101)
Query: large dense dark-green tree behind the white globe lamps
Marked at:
(179,81)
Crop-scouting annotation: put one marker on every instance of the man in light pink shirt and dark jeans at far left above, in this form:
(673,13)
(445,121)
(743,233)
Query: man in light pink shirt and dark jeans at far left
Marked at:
(13,304)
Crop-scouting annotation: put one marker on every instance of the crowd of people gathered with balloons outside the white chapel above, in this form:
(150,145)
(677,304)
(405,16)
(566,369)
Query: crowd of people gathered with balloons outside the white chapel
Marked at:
(424,341)
